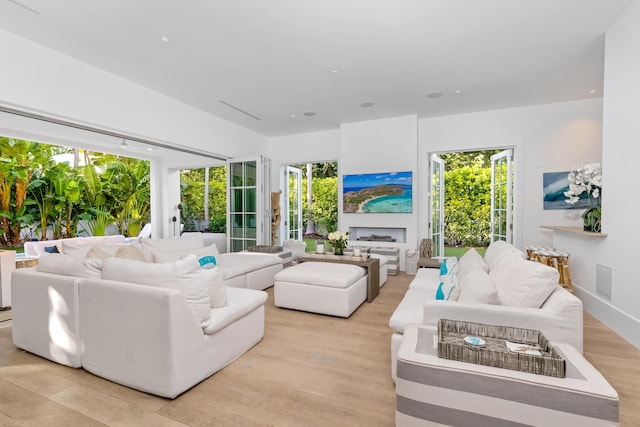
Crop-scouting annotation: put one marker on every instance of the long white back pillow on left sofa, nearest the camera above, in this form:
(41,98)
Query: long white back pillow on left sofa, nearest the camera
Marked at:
(184,275)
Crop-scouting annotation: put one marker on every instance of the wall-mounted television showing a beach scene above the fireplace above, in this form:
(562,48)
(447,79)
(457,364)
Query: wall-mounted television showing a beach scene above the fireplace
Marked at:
(389,192)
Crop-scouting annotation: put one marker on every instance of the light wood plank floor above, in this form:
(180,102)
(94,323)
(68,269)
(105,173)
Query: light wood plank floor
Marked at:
(310,370)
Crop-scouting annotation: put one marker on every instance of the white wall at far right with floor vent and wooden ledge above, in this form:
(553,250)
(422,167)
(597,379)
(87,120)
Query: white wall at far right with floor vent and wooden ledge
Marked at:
(620,206)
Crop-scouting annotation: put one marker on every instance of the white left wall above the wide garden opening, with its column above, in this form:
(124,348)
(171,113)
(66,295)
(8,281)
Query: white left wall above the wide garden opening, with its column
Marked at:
(37,79)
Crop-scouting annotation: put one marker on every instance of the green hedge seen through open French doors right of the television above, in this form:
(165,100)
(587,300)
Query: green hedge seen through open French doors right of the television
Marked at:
(467,205)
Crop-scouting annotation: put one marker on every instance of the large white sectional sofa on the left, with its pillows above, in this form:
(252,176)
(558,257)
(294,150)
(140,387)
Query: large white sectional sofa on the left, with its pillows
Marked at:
(158,327)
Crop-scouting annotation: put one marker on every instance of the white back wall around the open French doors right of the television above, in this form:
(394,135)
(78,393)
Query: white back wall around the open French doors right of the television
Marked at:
(547,138)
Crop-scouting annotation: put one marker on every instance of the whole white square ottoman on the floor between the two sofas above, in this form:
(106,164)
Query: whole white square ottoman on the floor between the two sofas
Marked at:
(321,287)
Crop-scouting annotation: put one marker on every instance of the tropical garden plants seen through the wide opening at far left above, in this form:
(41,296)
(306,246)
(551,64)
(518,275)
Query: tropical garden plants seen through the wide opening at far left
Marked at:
(41,197)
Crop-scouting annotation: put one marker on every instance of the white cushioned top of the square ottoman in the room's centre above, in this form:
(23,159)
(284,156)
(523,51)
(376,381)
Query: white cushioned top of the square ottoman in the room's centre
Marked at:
(327,274)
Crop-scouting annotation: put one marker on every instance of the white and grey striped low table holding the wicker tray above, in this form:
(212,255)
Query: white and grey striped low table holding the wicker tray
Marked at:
(434,391)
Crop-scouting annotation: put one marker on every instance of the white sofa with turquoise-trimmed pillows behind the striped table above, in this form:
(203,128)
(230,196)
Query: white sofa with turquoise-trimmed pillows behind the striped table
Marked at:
(501,289)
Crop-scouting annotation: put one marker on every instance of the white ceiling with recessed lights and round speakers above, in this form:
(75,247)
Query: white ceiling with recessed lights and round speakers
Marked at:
(276,58)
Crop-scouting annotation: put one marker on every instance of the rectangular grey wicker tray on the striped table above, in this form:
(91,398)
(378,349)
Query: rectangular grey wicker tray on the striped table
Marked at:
(451,345)
